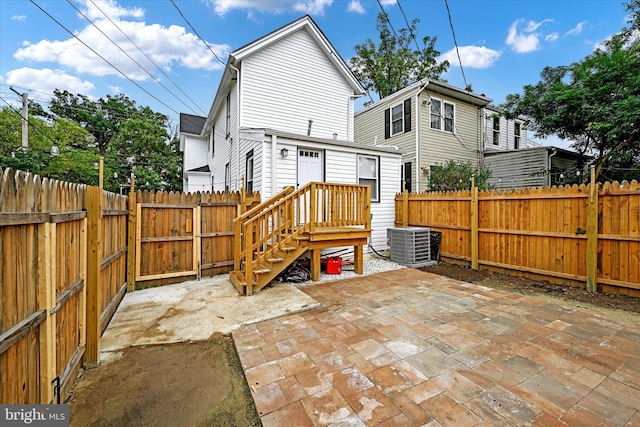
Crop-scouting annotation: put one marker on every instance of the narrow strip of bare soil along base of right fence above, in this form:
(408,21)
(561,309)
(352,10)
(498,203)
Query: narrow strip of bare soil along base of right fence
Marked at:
(619,307)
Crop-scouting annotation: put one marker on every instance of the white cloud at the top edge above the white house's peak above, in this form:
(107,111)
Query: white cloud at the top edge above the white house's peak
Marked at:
(313,7)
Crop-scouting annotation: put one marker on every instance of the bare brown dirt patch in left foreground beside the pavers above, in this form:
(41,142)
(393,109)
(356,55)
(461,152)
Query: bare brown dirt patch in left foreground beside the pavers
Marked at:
(186,384)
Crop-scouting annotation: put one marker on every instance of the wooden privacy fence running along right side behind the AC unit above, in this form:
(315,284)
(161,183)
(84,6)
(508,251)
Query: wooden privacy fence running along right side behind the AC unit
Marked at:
(587,235)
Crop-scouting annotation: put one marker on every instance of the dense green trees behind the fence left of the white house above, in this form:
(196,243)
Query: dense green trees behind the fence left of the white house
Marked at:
(131,139)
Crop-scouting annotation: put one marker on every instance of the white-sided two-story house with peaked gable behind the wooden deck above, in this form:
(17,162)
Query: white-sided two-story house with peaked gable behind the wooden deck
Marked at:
(283,116)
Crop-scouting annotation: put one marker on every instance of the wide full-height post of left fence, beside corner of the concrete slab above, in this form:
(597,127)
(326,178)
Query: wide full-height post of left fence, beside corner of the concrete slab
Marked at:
(94,288)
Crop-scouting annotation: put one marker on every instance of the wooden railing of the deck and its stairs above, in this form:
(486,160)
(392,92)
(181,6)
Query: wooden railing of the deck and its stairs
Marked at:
(274,225)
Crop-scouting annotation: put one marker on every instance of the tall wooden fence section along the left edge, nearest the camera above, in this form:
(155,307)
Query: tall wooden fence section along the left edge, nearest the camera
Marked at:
(52,310)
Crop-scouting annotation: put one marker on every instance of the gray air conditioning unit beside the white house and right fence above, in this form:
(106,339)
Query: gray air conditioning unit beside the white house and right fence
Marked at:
(410,246)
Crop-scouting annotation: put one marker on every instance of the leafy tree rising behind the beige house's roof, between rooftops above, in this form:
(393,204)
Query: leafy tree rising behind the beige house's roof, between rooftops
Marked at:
(394,64)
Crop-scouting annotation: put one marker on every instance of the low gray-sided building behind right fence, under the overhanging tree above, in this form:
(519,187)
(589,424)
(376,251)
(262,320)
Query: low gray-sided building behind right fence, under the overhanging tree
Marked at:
(531,167)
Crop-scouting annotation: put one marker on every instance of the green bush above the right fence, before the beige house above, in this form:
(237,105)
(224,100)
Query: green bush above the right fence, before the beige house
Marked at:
(456,175)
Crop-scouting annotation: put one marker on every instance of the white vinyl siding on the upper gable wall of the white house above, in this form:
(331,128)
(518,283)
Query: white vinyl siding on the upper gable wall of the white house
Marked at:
(291,82)
